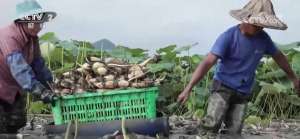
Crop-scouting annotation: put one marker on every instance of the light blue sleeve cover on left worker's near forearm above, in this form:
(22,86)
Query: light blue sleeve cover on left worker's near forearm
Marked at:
(21,71)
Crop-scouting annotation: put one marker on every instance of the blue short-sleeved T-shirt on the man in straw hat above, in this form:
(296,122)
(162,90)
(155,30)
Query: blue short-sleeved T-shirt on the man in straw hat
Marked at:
(239,57)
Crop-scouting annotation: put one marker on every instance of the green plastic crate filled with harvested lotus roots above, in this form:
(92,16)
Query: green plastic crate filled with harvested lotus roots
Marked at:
(106,105)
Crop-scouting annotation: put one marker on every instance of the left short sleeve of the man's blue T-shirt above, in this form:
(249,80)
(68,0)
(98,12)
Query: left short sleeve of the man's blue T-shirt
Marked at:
(220,46)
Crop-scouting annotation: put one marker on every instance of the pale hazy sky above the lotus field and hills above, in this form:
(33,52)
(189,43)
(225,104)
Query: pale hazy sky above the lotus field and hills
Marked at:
(152,24)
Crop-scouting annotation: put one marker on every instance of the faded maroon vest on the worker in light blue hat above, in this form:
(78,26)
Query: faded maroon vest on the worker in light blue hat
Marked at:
(13,39)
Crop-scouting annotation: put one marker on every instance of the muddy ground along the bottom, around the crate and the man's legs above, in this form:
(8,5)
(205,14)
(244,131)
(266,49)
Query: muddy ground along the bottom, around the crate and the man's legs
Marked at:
(184,129)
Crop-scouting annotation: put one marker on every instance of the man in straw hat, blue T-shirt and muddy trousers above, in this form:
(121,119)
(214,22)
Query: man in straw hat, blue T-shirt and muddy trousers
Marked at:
(237,53)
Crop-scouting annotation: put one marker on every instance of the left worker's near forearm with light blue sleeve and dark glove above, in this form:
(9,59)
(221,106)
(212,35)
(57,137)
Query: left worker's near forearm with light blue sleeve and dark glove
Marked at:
(24,75)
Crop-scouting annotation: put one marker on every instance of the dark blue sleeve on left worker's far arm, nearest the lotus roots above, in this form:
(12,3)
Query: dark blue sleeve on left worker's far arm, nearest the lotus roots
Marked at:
(41,71)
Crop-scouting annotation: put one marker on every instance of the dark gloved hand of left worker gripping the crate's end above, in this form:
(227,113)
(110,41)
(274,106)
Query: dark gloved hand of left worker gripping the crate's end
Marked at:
(46,95)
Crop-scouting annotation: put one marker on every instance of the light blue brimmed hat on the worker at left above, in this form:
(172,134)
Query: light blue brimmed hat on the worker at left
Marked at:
(31,7)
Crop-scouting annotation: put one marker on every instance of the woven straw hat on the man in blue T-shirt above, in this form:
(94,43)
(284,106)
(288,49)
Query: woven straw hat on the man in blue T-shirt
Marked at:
(260,13)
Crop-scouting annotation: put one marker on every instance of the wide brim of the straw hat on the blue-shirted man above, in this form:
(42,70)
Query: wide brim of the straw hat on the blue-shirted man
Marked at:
(262,20)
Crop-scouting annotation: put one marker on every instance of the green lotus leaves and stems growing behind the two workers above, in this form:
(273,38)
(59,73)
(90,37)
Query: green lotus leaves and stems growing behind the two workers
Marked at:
(273,94)
